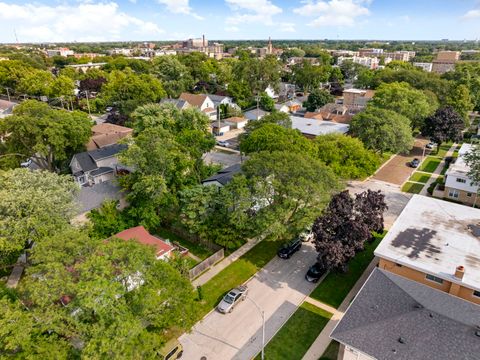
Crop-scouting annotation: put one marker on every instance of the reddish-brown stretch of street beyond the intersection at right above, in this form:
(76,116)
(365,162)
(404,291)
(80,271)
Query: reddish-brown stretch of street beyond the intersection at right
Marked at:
(396,171)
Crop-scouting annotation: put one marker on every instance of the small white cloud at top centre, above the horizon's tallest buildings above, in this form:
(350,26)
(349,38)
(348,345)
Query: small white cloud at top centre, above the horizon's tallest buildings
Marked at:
(252,11)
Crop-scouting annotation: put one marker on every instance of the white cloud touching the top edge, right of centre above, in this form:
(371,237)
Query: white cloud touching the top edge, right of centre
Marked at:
(333,12)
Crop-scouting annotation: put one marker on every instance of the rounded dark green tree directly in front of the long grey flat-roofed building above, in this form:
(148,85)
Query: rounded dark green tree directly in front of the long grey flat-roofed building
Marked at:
(272,137)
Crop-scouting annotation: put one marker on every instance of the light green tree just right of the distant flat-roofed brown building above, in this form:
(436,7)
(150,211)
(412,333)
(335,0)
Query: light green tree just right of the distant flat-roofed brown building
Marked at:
(405,100)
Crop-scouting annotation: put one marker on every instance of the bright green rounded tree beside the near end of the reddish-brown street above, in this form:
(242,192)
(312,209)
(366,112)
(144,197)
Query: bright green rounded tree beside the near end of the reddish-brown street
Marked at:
(346,156)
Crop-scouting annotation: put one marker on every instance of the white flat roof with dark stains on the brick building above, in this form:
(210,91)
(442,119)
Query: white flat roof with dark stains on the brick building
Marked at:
(435,236)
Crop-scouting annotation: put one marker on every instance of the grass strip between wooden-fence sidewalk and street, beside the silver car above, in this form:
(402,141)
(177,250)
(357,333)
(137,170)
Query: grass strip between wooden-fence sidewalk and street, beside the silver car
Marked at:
(237,273)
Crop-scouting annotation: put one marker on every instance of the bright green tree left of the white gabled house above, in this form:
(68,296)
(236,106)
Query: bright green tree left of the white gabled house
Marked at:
(126,91)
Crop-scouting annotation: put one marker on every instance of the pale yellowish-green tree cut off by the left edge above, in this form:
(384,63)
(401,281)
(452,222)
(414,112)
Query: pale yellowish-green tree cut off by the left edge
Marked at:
(33,204)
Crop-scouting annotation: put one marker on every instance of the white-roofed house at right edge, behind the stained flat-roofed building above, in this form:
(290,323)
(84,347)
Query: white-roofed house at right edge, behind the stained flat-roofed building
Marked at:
(458,186)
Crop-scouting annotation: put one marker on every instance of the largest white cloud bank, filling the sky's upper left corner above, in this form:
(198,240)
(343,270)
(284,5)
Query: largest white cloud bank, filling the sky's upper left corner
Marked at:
(71,22)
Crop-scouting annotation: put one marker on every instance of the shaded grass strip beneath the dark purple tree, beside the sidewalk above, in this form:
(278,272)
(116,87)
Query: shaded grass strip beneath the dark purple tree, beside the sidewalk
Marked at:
(335,287)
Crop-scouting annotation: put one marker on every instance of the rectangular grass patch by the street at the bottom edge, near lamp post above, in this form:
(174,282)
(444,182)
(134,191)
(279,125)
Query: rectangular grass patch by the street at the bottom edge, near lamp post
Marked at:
(298,334)
